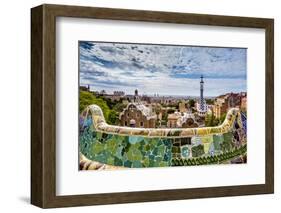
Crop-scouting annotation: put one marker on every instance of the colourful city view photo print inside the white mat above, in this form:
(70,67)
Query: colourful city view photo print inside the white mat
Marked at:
(148,105)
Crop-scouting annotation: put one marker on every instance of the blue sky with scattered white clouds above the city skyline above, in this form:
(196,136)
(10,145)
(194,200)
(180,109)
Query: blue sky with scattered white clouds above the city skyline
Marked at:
(162,69)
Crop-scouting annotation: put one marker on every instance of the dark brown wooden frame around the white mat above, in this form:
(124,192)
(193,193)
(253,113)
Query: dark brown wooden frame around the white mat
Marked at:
(43,105)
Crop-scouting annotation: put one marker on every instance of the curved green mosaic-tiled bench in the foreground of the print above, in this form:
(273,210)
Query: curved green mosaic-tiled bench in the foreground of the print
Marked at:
(119,147)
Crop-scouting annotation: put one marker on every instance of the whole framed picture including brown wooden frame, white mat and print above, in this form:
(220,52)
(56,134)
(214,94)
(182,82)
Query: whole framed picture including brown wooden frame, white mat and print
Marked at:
(136,106)
